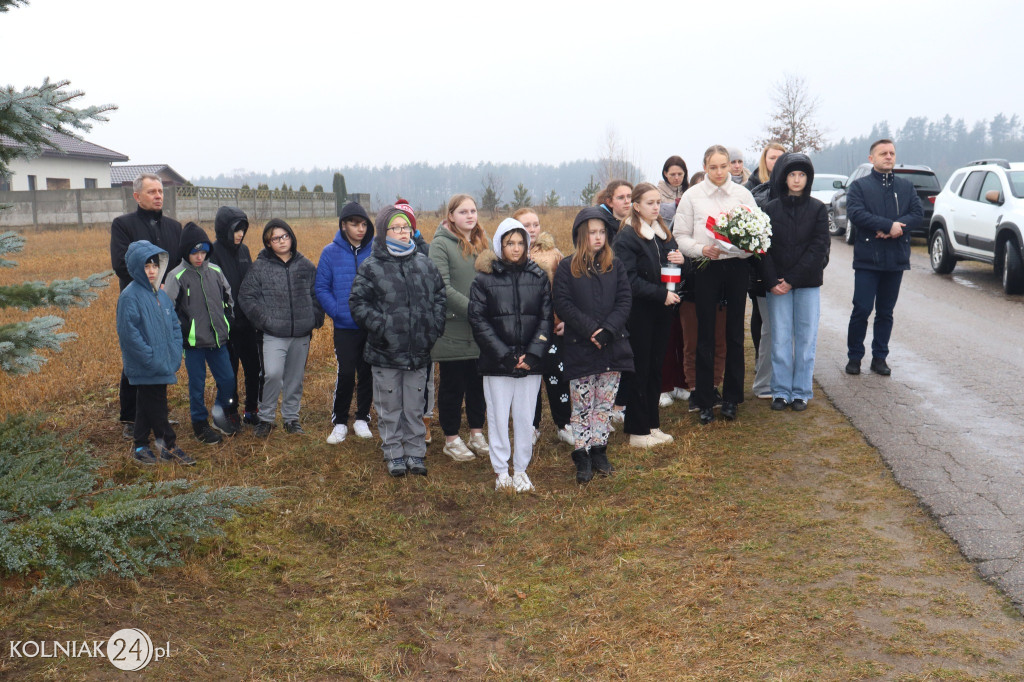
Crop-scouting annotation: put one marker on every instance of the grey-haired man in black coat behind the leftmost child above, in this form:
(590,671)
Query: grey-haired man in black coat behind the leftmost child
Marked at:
(150,224)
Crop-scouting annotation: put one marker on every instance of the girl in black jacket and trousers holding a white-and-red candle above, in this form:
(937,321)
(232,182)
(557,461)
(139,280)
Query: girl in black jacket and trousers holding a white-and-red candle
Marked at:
(645,245)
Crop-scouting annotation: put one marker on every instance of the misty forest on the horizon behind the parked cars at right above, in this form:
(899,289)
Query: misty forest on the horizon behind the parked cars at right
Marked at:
(945,145)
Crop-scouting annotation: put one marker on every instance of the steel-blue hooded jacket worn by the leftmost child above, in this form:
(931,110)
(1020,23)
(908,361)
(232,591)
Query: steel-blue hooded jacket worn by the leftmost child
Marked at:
(148,328)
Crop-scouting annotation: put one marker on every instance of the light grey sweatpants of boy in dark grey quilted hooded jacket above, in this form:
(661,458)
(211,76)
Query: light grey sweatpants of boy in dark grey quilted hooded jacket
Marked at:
(284,367)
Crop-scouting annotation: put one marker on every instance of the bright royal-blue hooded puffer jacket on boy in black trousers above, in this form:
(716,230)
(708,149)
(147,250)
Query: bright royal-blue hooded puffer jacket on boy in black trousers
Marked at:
(338,266)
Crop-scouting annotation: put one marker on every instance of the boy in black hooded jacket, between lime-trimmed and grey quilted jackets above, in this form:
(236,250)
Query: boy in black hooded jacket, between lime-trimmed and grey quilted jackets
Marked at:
(233,257)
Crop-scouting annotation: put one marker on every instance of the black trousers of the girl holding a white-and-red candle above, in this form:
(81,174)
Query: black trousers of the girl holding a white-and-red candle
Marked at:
(650,326)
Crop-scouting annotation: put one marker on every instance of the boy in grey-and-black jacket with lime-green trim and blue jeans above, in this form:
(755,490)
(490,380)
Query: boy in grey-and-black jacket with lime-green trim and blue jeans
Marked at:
(202,299)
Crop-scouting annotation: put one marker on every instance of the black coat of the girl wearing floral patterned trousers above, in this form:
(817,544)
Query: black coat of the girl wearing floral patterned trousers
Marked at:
(587,305)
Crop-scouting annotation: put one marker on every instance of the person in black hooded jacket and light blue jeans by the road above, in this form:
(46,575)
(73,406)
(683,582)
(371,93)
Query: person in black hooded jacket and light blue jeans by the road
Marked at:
(792,272)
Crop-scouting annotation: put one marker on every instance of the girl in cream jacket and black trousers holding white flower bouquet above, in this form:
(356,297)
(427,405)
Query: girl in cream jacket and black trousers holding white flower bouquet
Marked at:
(721,276)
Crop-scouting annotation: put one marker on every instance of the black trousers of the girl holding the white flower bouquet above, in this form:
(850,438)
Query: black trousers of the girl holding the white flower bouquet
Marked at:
(721,281)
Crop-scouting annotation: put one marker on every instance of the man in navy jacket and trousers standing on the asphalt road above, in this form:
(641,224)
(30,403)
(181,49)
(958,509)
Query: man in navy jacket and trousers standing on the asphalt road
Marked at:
(883,209)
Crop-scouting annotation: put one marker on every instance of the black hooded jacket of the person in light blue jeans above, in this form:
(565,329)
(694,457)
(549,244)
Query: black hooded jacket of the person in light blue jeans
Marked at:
(800,231)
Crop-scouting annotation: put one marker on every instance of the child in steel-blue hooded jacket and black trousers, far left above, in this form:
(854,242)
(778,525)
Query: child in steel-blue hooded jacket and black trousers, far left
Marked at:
(151,351)
